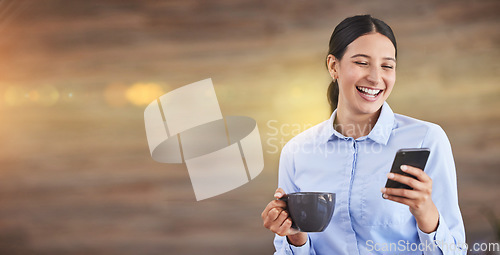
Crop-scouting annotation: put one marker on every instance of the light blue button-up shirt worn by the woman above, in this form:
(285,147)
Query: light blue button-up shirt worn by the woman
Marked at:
(322,159)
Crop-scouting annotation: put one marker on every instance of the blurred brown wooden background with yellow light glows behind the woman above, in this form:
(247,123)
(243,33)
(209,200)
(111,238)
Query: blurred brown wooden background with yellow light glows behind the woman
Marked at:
(76,176)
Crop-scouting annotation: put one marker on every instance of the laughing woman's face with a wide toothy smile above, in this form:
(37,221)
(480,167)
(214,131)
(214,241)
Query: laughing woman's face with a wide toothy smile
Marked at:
(365,74)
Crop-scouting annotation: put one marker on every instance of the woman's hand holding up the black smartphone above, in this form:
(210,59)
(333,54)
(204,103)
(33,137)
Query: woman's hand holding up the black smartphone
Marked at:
(419,199)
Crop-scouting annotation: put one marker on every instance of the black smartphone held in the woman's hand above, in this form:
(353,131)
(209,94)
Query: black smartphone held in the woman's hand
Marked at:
(411,157)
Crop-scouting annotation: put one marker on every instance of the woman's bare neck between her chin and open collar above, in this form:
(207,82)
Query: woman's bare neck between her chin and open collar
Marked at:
(355,125)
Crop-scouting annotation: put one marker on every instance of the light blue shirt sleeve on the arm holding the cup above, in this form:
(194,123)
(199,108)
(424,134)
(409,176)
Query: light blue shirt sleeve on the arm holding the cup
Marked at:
(285,181)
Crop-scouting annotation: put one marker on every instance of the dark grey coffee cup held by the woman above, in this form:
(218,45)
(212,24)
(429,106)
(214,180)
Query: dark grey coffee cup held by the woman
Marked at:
(310,211)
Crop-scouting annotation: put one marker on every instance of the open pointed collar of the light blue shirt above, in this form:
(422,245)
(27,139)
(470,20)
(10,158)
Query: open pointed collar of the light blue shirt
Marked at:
(380,132)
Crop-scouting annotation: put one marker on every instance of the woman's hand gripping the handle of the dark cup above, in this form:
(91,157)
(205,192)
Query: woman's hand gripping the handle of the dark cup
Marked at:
(276,219)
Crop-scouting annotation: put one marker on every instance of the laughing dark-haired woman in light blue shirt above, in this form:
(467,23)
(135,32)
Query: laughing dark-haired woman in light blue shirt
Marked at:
(351,154)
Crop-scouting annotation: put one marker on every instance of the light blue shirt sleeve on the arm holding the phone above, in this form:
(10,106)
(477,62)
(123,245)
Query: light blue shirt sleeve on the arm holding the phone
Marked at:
(449,237)
